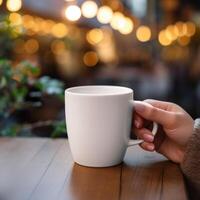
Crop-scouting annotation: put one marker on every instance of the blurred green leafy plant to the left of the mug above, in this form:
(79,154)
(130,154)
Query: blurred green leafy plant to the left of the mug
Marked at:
(16,82)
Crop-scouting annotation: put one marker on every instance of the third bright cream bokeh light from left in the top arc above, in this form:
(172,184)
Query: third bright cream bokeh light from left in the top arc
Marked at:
(104,14)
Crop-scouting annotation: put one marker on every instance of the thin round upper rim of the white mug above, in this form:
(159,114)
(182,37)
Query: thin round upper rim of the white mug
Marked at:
(124,90)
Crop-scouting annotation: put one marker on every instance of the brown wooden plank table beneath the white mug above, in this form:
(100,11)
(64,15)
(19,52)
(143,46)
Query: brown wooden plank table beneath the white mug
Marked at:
(42,169)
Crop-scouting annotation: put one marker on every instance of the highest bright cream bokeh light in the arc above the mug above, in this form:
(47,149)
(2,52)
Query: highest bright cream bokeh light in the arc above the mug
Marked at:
(89,9)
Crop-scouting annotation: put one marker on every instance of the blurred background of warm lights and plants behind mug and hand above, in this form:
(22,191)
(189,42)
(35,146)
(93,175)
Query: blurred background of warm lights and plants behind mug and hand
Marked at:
(48,45)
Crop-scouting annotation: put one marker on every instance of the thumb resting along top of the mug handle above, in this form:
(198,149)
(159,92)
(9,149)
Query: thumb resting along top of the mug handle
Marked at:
(149,112)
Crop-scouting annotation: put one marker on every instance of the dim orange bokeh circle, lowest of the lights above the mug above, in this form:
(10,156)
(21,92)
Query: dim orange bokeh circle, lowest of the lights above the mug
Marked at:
(90,58)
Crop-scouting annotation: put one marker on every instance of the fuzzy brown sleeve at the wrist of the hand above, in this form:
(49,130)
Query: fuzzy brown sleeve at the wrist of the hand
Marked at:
(191,163)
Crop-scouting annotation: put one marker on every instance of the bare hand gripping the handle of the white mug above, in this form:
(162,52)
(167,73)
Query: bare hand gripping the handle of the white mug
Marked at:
(176,127)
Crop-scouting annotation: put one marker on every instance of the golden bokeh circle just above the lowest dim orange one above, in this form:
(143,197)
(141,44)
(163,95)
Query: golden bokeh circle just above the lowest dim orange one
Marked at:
(94,36)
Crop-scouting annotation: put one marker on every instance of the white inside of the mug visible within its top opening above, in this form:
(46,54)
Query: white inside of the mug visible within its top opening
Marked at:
(99,90)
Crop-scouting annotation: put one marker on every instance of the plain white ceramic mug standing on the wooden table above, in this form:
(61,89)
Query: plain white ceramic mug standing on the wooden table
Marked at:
(98,122)
